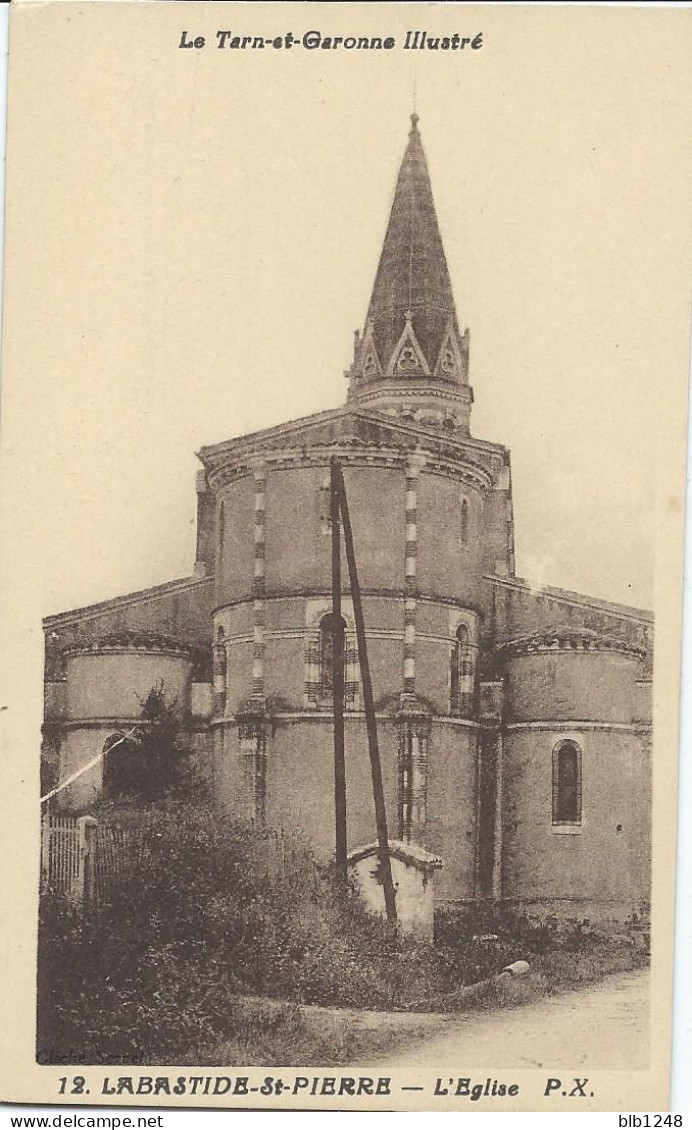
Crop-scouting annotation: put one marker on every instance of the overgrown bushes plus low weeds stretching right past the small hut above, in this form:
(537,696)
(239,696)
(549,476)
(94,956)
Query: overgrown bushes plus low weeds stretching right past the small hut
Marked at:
(206,923)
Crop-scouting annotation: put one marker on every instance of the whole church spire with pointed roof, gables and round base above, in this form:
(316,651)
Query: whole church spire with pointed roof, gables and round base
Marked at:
(412,343)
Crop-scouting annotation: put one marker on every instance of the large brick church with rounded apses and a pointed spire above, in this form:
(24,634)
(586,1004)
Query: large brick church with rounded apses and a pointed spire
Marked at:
(515,725)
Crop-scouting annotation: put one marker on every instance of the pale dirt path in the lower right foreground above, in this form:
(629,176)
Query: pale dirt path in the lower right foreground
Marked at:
(604,1025)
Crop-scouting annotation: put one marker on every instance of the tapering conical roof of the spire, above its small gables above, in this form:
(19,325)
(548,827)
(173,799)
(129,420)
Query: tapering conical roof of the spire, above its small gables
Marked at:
(412,277)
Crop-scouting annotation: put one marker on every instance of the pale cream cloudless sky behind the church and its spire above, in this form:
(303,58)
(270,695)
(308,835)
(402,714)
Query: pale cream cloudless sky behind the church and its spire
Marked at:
(200,233)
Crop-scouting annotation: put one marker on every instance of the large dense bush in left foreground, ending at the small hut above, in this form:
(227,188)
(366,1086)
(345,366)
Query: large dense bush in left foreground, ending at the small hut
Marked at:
(196,922)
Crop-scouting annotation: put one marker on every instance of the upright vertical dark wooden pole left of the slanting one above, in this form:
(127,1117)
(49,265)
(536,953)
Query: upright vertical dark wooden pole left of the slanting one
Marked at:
(338,637)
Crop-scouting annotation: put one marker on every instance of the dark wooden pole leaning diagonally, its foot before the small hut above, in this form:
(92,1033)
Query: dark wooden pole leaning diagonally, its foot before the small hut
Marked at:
(378,789)
